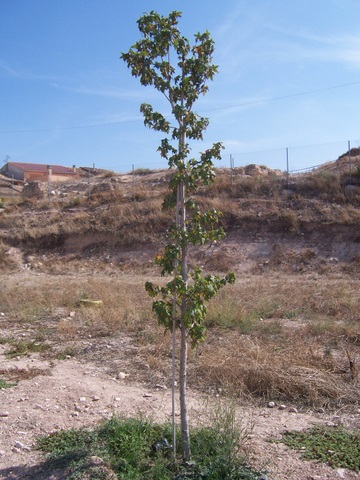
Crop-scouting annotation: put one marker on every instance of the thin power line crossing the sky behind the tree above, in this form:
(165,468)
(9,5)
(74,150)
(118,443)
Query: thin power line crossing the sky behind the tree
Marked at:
(228,107)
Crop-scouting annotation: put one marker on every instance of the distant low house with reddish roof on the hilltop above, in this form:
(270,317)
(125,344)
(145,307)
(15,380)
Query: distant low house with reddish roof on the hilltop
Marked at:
(29,172)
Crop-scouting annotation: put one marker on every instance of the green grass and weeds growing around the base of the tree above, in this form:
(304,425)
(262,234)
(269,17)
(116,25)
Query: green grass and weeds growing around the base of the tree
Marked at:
(137,449)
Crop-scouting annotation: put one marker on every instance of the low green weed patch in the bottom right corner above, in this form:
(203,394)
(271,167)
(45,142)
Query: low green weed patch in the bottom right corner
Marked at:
(333,445)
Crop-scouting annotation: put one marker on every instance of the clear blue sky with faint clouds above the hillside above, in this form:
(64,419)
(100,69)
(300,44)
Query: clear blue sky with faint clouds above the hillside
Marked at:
(289,76)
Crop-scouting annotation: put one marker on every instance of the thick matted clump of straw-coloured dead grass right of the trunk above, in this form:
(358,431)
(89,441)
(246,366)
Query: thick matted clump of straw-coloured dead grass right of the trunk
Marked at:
(246,368)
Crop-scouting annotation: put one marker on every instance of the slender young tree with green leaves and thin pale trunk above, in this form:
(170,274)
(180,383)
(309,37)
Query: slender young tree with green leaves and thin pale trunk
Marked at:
(165,59)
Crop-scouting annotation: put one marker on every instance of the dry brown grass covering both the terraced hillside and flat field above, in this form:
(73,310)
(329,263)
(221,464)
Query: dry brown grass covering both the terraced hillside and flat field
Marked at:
(288,329)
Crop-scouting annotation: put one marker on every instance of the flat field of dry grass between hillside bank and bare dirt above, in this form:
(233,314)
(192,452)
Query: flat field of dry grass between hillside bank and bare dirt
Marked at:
(279,337)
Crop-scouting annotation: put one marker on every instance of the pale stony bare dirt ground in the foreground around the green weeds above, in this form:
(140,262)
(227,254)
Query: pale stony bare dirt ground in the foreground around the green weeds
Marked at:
(73,394)
